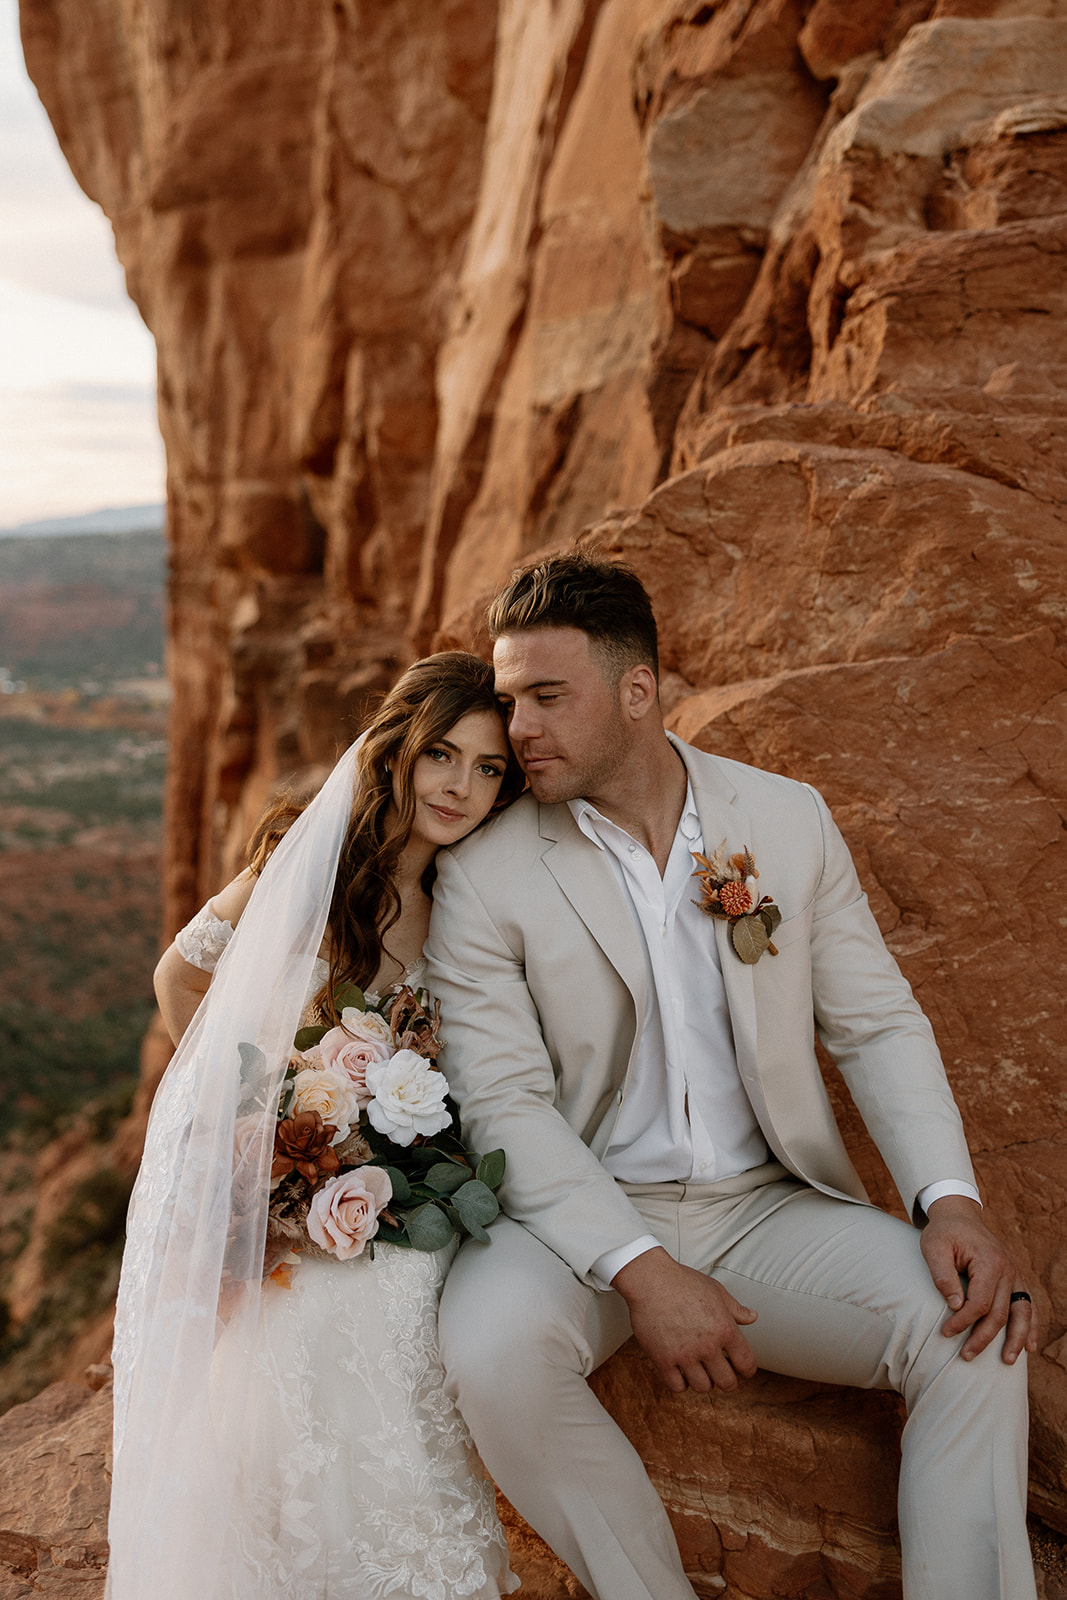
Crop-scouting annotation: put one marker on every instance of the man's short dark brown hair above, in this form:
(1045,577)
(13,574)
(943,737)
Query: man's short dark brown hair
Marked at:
(607,601)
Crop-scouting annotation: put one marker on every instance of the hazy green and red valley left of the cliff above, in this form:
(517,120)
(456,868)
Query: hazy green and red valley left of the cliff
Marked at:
(82,766)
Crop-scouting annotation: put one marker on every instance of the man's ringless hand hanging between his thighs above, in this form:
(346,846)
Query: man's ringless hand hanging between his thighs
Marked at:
(687,1322)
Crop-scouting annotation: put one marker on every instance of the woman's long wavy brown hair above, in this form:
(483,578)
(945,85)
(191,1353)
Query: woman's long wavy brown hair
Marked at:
(420,710)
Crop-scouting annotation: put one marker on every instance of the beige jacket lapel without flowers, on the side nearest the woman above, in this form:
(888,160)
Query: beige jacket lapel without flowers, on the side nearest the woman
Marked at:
(588,881)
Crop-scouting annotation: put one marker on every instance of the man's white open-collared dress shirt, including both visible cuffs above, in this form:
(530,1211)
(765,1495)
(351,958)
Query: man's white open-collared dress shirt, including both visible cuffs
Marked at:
(685,1116)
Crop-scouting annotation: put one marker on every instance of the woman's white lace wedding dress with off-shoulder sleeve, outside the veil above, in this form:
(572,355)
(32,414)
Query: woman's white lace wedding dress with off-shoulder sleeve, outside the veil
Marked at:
(359,1481)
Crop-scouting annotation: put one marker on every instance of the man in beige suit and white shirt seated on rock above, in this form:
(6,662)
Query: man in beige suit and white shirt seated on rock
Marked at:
(674,1169)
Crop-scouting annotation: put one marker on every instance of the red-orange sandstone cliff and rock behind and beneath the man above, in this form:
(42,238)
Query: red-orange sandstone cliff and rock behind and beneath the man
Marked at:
(767,298)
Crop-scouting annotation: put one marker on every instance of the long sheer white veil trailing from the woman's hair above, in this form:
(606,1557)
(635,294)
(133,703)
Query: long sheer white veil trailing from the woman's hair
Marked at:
(198,1225)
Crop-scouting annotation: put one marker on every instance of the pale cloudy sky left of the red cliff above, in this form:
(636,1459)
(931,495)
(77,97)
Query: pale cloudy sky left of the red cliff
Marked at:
(78,366)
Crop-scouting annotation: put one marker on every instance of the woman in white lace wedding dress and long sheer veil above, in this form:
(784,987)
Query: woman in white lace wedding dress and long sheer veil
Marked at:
(292,1441)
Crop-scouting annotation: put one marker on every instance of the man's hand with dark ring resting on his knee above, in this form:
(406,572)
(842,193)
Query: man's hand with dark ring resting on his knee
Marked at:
(978,1279)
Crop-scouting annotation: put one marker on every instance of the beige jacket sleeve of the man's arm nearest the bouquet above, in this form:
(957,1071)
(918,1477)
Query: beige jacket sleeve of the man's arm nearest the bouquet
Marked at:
(503,1079)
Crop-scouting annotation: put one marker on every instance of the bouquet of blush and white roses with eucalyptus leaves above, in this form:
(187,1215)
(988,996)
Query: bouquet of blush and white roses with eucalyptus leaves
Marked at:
(366,1143)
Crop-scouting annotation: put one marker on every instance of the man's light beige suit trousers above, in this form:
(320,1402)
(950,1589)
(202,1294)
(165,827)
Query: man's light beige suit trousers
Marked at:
(842,1295)
